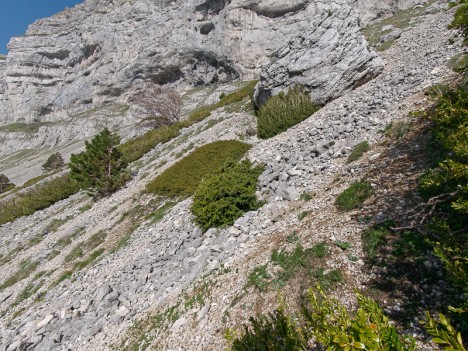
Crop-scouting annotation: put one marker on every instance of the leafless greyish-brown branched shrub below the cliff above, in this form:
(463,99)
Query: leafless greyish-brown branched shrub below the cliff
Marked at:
(162,105)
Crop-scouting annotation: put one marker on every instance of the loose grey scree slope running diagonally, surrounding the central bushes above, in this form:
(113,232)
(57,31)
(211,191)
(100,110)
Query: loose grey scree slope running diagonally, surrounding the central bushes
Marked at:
(159,265)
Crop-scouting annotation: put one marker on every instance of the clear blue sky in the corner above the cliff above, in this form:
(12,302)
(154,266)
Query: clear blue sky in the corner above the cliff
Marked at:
(16,15)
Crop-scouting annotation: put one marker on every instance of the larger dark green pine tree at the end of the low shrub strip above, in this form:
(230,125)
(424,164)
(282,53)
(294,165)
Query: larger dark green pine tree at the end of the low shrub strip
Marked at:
(100,168)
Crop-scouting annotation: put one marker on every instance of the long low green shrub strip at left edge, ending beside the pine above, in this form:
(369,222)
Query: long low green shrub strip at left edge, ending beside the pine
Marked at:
(37,198)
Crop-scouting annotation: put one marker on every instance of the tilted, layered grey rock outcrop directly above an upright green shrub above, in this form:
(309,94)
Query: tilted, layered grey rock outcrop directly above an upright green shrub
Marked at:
(329,58)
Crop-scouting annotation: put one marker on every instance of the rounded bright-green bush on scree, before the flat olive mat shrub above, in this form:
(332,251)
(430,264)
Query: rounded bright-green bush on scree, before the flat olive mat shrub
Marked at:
(223,197)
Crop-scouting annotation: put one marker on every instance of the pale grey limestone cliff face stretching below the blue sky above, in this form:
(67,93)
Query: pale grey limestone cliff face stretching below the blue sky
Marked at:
(104,50)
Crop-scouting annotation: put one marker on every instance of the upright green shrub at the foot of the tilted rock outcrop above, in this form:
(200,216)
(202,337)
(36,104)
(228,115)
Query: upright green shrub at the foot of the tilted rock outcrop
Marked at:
(283,111)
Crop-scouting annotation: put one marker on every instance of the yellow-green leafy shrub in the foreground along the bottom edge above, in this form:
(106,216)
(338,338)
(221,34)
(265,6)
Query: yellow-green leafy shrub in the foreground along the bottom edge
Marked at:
(322,324)
